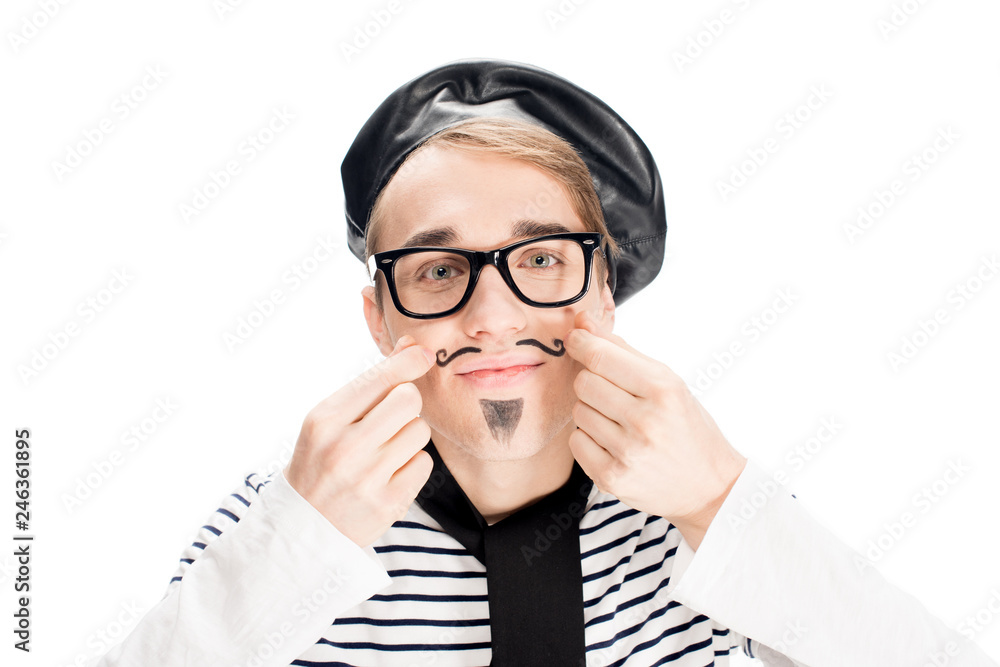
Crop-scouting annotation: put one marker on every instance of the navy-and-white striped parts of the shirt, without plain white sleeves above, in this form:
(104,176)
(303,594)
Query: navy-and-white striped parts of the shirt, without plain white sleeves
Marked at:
(435,611)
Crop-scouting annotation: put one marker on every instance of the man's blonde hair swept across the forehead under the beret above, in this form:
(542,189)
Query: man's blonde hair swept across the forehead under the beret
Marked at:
(519,140)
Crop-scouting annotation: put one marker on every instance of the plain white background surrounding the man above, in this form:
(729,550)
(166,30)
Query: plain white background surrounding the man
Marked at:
(62,235)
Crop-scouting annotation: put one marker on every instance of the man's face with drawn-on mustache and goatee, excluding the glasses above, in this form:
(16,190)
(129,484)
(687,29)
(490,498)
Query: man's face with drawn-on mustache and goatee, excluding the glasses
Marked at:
(492,415)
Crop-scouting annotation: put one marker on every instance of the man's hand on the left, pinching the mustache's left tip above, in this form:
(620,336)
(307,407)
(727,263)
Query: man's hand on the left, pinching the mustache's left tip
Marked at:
(359,458)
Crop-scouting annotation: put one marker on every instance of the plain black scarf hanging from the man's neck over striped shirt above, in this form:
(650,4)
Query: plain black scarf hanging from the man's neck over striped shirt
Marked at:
(533,570)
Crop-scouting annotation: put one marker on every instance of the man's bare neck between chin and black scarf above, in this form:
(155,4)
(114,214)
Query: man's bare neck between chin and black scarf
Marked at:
(500,488)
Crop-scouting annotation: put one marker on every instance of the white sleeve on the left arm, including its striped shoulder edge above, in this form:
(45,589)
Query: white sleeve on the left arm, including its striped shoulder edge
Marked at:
(261,583)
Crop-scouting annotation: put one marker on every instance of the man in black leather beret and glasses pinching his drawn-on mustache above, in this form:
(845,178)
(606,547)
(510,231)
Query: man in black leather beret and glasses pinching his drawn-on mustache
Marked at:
(515,484)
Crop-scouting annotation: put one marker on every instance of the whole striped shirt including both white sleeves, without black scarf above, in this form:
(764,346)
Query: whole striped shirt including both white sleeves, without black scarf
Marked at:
(269,582)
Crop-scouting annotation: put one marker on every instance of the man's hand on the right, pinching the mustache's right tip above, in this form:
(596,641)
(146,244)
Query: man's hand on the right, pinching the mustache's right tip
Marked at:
(643,437)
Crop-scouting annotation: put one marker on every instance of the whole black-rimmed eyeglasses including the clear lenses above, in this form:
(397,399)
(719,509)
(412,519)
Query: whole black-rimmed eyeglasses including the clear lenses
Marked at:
(545,272)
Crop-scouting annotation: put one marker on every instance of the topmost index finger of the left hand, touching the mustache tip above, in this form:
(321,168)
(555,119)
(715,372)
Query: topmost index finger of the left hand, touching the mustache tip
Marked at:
(365,391)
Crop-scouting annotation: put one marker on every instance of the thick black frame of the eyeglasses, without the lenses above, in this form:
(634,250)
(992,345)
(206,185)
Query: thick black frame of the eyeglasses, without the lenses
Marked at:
(478,259)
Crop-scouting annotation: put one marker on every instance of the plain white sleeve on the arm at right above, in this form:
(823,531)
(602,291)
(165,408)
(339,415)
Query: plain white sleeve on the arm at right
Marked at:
(767,569)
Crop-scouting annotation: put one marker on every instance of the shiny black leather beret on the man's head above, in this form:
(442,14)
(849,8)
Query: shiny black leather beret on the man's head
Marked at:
(622,168)
